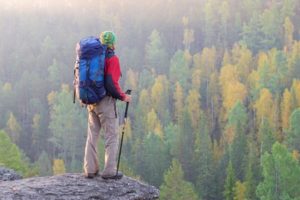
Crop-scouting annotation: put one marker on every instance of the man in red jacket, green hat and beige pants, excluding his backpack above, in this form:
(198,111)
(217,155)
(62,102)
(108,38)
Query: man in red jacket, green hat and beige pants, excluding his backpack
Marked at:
(104,115)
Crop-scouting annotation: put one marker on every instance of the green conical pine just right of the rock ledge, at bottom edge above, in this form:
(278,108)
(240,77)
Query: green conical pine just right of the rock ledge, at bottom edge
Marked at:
(175,187)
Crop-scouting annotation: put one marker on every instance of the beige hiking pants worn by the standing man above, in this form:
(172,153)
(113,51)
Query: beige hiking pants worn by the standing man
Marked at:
(102,115)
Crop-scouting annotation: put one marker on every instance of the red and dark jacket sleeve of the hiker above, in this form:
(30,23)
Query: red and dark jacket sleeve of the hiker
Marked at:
(112,74)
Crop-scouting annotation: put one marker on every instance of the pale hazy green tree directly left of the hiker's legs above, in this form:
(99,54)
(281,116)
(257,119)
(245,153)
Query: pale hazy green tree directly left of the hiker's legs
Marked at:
(67,126)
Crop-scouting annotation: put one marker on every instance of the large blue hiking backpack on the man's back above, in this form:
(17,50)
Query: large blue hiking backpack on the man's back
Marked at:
(89,71)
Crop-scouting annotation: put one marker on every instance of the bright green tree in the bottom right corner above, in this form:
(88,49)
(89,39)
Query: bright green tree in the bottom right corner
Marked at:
(280,175)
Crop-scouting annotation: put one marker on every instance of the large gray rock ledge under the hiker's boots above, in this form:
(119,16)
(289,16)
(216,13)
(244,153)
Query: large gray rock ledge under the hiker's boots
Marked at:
(75,186)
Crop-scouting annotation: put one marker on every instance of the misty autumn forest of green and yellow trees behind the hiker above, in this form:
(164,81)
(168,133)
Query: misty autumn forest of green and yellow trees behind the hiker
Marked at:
(215,111)
